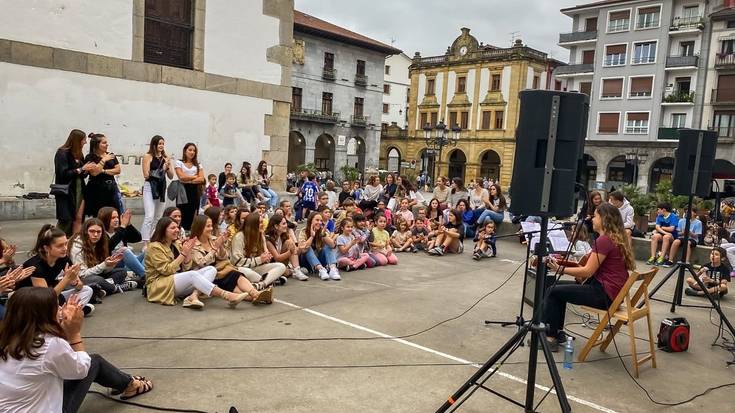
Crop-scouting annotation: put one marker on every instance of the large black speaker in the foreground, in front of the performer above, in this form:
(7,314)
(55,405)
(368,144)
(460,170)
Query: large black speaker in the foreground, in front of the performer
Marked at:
(568,122)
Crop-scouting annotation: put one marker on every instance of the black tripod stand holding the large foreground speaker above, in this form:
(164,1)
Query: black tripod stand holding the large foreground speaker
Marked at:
(538,338)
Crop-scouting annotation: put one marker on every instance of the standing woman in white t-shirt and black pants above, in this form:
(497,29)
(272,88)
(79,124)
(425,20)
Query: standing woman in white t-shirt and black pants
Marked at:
(191,174)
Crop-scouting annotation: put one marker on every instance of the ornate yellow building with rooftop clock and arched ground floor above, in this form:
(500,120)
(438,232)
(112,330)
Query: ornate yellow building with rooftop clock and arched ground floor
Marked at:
(476,87)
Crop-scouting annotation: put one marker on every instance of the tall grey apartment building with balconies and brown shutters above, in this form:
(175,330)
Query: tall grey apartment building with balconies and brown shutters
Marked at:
(646,66)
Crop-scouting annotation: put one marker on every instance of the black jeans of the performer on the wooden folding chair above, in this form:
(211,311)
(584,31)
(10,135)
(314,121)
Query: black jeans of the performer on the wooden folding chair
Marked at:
(591,294)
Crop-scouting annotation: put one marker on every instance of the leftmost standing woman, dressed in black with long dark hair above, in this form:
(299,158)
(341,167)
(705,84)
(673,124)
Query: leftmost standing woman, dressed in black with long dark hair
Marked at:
(69,173)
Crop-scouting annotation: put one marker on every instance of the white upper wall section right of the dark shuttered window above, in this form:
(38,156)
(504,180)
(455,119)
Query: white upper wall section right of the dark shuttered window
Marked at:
(236,38)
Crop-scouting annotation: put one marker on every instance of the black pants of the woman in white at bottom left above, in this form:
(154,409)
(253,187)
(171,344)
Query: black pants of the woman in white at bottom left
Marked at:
(100,372)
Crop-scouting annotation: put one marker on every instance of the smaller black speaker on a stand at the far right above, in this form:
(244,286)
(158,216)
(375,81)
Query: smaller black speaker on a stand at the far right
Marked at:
(686,159)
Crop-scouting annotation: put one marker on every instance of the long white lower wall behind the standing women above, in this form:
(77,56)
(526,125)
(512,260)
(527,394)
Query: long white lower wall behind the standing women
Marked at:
(43,105)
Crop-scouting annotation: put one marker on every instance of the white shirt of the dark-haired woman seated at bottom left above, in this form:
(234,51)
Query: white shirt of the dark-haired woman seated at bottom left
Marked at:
(38,385)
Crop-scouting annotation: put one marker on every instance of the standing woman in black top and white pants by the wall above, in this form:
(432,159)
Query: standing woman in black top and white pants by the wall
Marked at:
(156,166)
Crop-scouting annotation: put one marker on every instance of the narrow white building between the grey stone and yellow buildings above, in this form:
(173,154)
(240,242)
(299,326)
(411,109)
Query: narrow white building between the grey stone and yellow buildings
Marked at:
(396,85)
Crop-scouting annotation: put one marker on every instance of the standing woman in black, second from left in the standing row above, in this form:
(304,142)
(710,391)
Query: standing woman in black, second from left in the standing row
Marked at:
(101,189)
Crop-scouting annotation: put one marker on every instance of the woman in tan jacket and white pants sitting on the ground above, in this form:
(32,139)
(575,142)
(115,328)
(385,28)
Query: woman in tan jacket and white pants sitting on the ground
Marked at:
(165,260)
